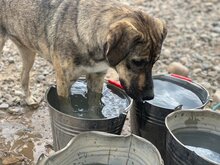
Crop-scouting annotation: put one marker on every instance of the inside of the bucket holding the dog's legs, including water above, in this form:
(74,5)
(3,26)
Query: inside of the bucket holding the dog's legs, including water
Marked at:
(80,102)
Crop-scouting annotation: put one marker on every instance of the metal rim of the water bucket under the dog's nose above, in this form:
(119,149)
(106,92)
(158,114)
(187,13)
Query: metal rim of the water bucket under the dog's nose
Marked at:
(169,76)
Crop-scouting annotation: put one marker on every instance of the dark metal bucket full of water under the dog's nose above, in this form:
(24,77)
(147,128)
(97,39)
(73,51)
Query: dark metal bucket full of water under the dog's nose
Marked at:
(149,115)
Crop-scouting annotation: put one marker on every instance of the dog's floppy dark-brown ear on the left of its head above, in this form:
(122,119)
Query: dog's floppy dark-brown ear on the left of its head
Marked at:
(121,37)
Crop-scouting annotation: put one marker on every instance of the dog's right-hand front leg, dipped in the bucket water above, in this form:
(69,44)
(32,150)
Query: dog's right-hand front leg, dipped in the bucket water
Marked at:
(95,85)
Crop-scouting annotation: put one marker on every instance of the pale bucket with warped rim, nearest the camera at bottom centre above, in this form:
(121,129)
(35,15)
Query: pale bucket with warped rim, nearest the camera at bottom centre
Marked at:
(94,148)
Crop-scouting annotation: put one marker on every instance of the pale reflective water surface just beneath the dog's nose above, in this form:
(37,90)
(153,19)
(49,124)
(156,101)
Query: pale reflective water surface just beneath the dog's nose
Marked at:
(169,95)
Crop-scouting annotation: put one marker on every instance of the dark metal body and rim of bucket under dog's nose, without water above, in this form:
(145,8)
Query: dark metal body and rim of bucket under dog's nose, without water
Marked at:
(148,120)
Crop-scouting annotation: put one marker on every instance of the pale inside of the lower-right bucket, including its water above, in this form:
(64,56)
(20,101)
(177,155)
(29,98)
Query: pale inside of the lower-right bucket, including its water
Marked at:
(197,131)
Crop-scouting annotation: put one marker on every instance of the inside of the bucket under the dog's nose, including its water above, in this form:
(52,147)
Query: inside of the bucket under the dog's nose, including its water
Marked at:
(171,92)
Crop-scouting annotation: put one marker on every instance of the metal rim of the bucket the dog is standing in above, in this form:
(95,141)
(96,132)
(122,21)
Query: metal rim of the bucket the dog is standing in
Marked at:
(124,114)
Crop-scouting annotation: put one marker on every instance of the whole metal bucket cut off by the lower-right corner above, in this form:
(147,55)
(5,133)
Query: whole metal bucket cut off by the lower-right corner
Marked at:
(187,128)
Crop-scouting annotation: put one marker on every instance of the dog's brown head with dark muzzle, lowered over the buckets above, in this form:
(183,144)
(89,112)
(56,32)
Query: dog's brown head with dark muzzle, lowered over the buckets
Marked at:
(133,46)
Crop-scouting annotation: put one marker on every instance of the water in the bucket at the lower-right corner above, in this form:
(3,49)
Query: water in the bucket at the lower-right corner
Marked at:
(204,144)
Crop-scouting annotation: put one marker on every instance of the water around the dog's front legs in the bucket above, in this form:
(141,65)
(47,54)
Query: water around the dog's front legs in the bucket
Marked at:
(112,103)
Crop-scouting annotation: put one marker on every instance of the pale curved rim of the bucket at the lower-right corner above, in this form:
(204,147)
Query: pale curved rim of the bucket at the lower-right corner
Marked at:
(177,140)
